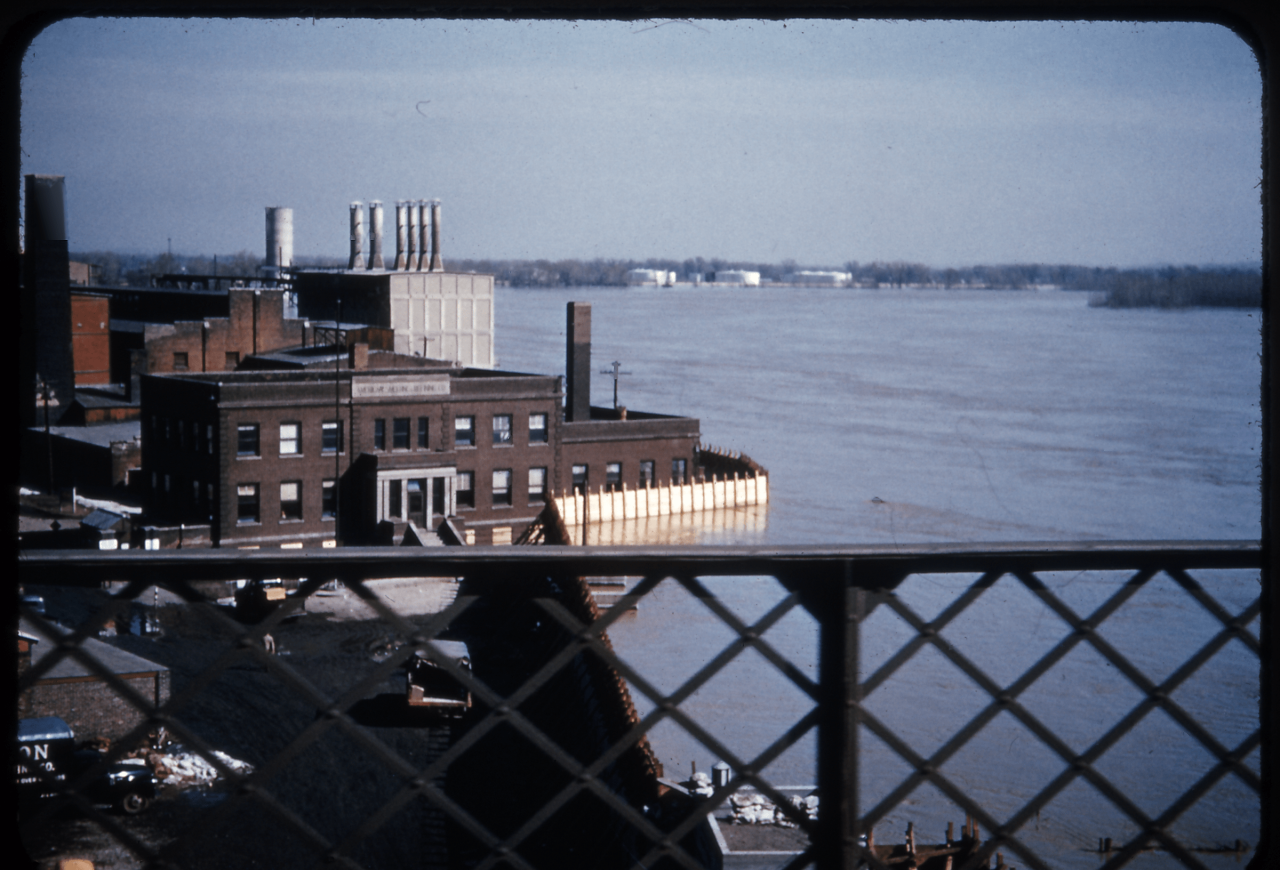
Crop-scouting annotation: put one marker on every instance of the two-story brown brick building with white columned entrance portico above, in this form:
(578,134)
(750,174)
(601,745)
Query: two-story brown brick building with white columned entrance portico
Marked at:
(307,448)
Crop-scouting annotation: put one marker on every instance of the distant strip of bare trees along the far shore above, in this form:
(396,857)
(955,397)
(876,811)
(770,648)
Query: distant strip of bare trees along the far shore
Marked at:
(1169,287)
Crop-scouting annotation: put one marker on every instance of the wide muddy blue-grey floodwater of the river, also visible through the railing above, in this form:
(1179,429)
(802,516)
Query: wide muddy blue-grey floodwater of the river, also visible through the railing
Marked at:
(908,416)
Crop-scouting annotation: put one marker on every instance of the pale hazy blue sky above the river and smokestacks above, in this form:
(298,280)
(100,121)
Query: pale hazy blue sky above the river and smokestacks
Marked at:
(949,144)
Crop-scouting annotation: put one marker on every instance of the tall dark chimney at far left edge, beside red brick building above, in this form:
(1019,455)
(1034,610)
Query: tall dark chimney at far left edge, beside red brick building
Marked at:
(47,308)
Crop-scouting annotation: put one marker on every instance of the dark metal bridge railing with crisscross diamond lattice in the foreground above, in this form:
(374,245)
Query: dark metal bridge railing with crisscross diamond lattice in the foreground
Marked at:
(840,588)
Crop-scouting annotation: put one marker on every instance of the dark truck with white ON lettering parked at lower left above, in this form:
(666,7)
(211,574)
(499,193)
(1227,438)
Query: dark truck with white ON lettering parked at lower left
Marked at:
(48,761)
